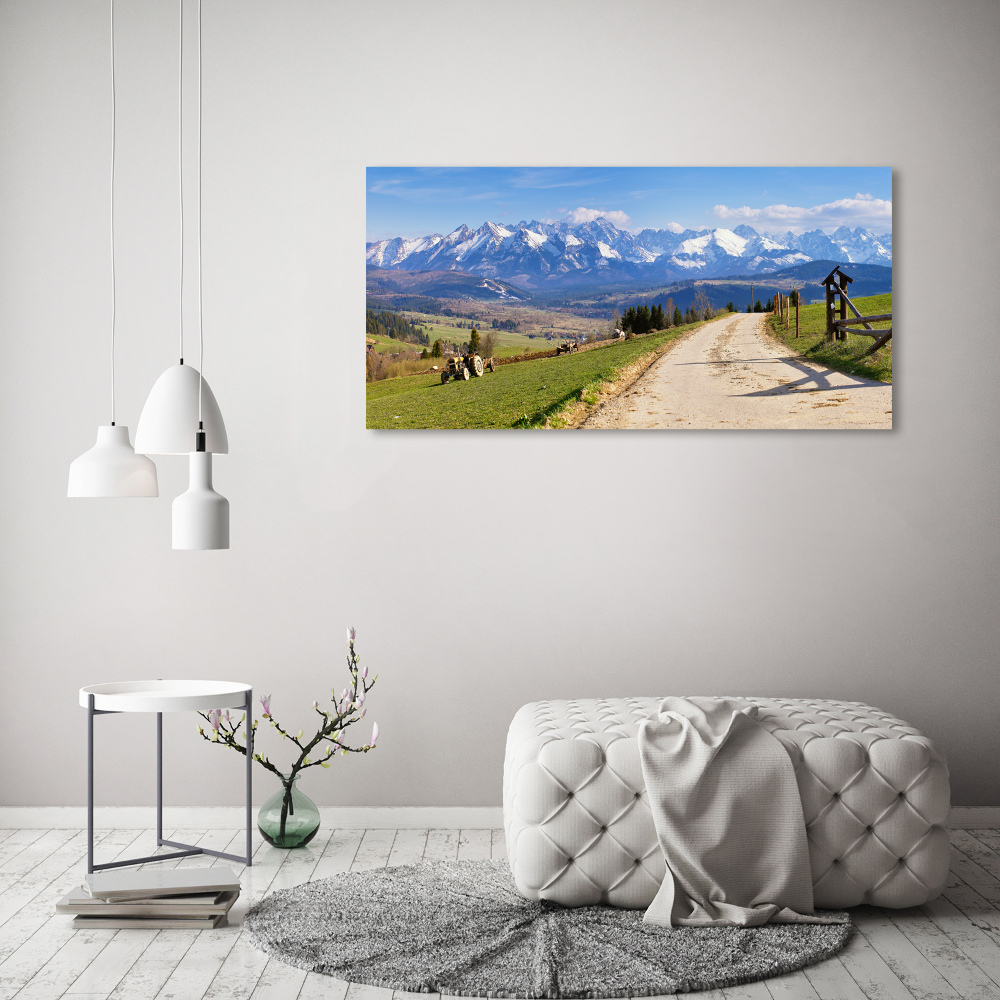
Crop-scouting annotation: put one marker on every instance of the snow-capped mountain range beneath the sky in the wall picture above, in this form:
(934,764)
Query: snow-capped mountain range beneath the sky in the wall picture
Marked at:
(536,253)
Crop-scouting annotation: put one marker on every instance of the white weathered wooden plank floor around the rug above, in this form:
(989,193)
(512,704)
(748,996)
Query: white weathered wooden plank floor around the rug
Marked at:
(949,948)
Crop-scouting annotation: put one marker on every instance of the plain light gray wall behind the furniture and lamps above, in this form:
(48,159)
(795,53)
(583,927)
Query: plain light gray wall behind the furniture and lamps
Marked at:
(481,570)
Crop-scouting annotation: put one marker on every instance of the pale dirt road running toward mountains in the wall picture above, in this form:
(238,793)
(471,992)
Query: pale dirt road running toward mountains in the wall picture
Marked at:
(729,374)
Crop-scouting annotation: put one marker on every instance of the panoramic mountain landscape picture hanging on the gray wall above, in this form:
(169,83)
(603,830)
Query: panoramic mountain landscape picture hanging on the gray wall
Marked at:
(666,298)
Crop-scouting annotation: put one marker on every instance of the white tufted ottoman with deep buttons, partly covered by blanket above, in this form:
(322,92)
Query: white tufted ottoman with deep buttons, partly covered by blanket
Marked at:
(579,831)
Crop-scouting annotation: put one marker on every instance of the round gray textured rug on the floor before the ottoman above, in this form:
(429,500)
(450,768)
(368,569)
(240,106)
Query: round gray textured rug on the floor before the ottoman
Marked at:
(461,927)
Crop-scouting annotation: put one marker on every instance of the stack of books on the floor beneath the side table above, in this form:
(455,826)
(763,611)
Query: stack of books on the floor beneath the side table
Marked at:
(175,897)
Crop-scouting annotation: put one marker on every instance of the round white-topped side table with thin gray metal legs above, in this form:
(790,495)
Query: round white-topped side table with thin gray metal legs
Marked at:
(161,696)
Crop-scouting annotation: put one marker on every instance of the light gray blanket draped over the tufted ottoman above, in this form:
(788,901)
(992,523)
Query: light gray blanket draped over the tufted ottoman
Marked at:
(728,817)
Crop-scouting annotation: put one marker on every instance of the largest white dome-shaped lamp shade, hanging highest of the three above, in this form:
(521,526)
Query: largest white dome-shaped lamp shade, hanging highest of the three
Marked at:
(169,420)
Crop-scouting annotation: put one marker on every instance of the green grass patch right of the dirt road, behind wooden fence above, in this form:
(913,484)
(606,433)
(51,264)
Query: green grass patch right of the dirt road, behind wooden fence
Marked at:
(842,355)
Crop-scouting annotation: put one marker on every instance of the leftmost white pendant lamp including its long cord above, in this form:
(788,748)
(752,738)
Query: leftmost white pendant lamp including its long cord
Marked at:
(112,468)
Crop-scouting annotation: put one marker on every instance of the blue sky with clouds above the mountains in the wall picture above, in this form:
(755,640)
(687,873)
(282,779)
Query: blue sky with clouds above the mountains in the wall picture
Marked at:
(416,201)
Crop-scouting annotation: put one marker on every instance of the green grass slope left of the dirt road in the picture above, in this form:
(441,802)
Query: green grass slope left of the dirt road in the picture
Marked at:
(525,394)
